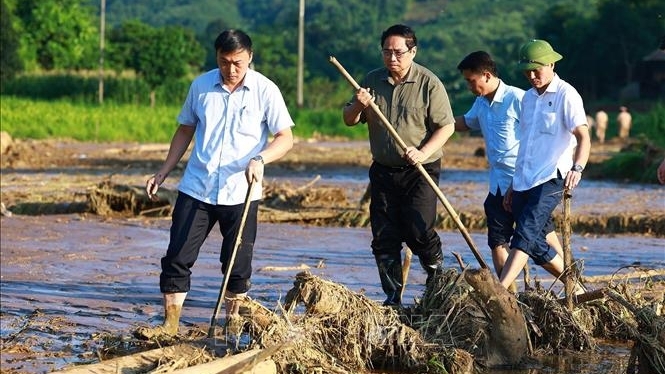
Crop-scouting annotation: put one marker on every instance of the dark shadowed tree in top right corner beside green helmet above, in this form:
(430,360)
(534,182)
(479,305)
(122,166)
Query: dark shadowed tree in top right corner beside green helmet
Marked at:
(601,49)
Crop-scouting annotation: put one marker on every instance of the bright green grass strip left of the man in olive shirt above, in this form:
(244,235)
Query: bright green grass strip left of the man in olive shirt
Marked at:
(63,119)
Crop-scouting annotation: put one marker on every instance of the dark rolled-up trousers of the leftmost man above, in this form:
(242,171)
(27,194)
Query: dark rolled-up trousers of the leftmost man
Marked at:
(192,221)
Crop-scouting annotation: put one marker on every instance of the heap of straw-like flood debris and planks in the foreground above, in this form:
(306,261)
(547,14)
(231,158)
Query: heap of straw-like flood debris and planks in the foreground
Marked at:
(464,322)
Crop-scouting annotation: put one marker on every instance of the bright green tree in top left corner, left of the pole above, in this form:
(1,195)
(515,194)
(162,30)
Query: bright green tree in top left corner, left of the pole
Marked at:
(61,34)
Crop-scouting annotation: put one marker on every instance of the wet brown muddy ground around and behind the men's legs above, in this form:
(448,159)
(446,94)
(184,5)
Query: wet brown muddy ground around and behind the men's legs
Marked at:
(70,272)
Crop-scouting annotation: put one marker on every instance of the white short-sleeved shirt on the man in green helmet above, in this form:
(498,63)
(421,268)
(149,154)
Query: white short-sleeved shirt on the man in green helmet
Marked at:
(546,139)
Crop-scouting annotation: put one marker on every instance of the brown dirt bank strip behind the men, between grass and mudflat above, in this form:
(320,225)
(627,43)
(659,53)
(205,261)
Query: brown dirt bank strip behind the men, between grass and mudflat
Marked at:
(318,182)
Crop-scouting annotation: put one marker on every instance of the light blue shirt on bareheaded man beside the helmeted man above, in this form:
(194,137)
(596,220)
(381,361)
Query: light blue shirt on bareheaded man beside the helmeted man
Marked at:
(498,121)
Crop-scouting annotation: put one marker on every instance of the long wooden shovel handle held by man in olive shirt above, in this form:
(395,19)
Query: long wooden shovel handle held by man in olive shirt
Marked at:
(419,166)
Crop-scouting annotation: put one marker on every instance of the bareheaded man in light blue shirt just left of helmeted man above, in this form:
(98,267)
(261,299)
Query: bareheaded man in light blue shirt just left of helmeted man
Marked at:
(496,114)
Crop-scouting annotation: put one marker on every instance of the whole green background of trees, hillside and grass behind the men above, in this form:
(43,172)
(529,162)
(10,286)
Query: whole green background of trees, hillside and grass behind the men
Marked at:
(51,57)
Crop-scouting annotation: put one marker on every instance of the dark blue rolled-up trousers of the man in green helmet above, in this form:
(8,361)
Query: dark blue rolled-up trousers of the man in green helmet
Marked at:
(532,209)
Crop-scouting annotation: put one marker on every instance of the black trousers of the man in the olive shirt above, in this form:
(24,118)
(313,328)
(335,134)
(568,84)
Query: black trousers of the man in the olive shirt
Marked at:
(403,210)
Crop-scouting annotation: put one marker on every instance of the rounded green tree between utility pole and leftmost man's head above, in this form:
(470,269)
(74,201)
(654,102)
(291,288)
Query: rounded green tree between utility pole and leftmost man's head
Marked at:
(157,55)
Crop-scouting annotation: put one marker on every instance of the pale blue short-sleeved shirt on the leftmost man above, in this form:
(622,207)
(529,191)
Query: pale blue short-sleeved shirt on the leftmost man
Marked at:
(231,128)
